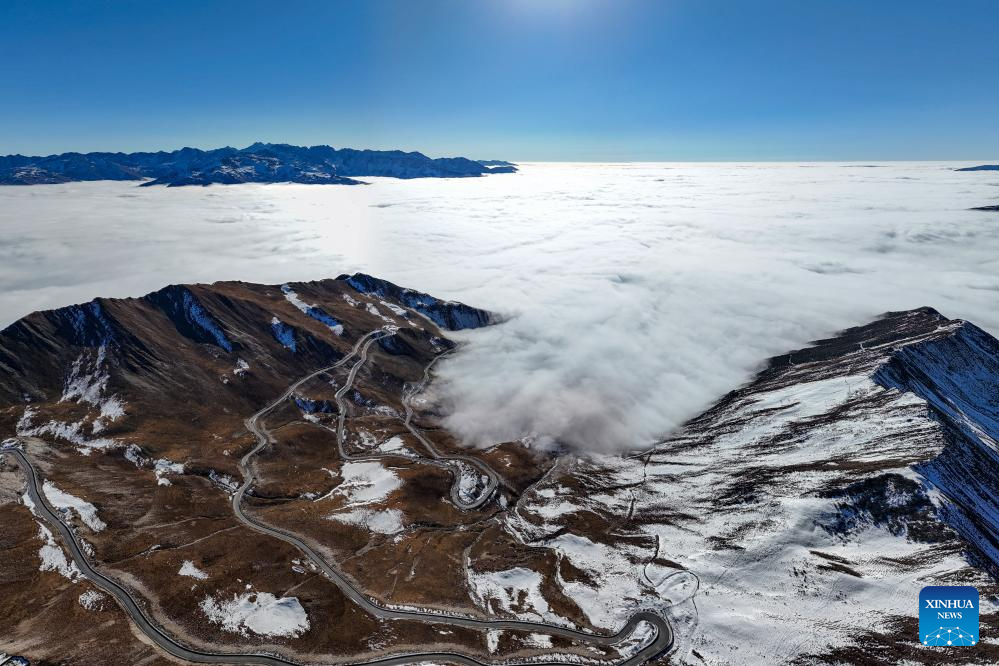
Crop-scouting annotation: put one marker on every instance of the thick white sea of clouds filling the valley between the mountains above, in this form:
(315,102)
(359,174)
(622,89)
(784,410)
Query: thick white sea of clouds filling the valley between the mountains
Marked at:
(636,294)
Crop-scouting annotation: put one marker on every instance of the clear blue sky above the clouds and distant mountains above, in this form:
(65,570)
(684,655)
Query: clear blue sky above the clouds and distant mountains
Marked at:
(521,79)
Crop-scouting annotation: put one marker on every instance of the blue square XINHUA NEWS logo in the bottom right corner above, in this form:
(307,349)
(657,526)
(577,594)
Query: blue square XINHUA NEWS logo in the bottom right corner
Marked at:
(948,615)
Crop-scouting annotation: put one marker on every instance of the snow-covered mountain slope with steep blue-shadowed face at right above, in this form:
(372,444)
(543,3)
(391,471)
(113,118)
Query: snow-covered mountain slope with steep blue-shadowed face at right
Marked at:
(796,520)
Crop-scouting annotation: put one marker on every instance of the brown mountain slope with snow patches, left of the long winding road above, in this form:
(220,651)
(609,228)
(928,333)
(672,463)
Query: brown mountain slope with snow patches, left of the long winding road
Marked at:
(133,410)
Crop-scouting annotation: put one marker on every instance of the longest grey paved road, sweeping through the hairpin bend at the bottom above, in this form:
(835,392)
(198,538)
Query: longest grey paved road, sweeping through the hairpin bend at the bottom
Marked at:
(663,640)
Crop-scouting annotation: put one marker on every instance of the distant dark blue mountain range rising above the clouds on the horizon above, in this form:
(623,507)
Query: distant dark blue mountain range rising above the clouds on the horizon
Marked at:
(259,163)
